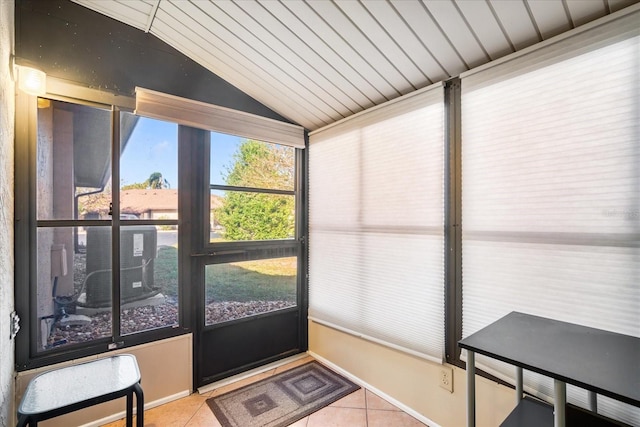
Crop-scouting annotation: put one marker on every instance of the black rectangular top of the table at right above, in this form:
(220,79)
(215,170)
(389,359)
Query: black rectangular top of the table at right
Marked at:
(597,360)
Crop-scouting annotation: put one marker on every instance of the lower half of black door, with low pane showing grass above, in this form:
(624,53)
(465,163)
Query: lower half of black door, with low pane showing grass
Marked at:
(250,312)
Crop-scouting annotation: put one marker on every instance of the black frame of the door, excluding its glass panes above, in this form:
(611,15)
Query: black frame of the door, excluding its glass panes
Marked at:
(291,323)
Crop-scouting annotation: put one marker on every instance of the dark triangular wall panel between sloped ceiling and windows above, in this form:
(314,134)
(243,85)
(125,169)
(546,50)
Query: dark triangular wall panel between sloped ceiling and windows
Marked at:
(74,43)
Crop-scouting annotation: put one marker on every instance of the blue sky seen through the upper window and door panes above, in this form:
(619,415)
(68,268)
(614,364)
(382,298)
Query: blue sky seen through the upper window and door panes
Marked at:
(153,147)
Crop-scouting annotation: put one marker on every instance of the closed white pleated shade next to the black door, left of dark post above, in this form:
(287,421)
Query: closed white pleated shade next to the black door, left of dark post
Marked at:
(376,224)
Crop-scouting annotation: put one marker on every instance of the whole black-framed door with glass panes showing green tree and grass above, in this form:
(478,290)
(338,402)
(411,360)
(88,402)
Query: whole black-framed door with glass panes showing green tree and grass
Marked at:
(247,244)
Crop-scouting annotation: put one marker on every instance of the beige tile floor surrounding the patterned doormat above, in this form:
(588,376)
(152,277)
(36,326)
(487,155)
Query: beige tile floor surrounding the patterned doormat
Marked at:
(359,409)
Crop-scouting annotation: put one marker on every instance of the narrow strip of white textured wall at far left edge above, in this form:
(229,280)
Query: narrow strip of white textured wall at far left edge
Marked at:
(7,108)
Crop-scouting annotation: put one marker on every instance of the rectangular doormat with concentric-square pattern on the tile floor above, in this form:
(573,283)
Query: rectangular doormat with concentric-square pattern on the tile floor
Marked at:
(281,399)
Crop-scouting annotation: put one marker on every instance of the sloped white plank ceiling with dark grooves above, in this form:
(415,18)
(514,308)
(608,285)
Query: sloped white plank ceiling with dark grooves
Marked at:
(318,61)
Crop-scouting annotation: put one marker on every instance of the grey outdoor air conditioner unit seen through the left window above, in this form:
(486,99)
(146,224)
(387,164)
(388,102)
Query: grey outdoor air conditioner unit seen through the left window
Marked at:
(137,254)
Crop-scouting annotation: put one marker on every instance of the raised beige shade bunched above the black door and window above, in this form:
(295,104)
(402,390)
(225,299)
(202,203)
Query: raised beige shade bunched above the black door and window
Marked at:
(220,119)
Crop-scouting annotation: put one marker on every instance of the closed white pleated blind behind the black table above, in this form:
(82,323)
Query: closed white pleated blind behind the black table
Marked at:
(551,190)
